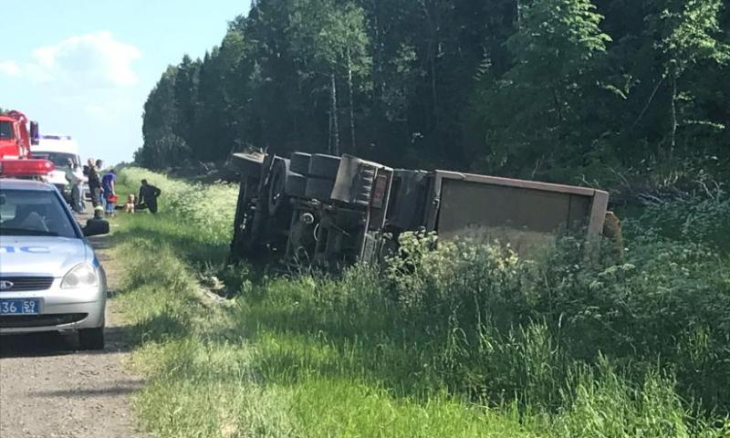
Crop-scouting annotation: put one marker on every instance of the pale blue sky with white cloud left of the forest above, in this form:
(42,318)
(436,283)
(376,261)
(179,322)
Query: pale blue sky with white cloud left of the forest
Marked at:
(85,67)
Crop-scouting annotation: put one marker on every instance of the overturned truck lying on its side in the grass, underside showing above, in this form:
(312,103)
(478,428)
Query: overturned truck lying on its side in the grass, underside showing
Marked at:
(330,212)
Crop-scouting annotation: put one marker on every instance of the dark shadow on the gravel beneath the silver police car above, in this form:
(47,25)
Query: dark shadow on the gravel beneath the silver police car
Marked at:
(59,344)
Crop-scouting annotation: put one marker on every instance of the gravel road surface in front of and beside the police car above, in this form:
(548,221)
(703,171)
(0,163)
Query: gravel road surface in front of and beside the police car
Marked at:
(48,389)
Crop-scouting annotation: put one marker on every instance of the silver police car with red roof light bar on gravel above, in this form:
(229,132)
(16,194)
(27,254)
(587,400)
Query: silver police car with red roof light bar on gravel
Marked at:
(50,278)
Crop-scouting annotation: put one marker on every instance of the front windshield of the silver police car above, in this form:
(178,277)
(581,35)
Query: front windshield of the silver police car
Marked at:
(33,213)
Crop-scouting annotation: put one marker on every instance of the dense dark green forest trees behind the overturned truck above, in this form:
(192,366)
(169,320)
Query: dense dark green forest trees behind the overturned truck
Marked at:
(560,89)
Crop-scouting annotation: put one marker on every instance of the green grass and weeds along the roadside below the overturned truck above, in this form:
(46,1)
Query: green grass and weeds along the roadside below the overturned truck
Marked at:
(461,341)
